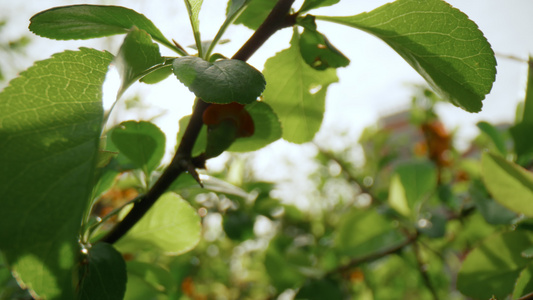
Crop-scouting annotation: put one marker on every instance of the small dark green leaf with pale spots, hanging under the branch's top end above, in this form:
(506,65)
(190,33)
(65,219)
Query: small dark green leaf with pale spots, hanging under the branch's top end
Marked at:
(319,53)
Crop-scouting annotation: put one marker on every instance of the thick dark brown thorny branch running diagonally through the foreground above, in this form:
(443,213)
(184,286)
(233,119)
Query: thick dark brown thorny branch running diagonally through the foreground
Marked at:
(182,162)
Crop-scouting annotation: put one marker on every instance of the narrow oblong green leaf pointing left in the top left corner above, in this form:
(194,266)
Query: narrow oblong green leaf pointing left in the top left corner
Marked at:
(91,21)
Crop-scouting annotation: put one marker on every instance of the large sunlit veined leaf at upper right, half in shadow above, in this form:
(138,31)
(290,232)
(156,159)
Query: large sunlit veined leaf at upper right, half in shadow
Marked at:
(439,42)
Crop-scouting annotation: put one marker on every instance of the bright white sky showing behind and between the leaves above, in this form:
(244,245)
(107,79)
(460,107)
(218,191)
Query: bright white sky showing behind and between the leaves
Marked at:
(376,83)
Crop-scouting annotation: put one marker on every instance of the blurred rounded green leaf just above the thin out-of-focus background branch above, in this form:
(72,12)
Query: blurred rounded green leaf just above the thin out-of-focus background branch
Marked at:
(363,232)
